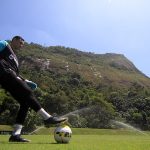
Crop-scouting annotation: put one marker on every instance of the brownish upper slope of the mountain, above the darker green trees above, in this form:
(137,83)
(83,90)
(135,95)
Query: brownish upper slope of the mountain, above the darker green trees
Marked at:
(109,68)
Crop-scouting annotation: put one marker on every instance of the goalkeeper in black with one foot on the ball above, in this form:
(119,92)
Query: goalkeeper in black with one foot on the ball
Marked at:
(20,88)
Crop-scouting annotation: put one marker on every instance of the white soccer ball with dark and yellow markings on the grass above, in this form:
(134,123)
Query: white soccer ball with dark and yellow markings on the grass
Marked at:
(62,134)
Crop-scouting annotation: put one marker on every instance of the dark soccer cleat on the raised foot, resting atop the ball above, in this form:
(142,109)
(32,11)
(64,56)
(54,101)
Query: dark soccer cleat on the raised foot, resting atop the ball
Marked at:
(54,120)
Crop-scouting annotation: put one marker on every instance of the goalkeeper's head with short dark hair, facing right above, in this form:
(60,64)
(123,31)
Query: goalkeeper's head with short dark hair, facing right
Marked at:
(17,42)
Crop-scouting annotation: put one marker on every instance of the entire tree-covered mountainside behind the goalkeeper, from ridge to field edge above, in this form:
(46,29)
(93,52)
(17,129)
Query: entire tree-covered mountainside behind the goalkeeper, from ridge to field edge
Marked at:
(68,80)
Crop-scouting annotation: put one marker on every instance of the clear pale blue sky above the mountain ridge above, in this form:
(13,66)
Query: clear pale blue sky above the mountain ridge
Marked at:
(98,26)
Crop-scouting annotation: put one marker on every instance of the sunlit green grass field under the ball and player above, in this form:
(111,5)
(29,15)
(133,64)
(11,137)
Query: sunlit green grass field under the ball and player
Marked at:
(83,139)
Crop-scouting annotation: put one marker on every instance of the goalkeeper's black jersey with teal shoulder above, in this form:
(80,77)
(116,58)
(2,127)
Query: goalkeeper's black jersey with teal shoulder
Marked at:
(8,59)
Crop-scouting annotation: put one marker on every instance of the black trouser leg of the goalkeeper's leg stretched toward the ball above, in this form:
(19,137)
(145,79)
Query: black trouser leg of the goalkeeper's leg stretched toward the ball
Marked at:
(18,89)
